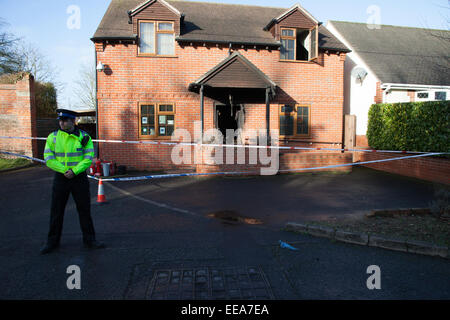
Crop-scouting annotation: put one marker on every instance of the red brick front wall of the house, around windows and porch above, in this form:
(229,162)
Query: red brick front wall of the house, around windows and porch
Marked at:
(132,79)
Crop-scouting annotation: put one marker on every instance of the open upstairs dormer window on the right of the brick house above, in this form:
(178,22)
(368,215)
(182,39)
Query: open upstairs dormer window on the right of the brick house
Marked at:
(299,44)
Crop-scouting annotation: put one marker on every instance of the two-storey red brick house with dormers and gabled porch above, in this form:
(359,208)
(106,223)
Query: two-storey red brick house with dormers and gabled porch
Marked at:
(168,64)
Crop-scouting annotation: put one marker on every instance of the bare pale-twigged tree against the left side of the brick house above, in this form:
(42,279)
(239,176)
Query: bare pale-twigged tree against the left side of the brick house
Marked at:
(85,86)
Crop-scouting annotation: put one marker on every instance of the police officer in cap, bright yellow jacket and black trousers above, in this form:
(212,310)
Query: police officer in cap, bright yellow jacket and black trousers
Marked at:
(69,152)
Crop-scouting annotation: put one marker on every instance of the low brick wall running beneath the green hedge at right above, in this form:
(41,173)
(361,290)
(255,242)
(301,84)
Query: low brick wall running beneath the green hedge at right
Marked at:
(427,168)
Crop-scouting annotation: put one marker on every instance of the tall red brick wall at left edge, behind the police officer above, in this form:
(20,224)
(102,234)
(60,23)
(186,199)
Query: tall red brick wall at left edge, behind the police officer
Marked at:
(18,116)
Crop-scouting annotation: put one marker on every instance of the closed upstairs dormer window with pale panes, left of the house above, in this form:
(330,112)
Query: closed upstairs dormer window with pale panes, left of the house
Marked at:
(156,38)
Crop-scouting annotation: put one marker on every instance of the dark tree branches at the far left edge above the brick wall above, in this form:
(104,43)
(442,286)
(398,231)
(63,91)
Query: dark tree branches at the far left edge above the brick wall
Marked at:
(9,62)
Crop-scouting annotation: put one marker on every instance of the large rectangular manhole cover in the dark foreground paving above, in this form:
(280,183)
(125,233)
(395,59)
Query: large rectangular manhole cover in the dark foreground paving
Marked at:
(210,283)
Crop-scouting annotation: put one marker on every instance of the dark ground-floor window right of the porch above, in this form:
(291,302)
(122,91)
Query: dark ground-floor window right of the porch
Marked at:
(294,121)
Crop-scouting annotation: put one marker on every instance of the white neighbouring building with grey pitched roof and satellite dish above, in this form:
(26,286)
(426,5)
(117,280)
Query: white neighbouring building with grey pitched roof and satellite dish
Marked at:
(391,64)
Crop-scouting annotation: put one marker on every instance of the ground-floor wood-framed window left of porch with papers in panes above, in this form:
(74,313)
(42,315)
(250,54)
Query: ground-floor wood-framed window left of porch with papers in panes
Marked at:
(156,120)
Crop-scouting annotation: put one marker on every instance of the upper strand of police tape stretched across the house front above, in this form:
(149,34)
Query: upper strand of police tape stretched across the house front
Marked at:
(209,145)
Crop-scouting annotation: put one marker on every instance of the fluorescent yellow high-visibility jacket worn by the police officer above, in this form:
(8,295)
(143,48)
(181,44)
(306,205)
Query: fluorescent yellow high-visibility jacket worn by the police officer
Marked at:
(63,151)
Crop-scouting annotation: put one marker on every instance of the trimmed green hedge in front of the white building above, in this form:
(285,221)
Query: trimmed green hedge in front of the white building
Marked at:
(413,126)
